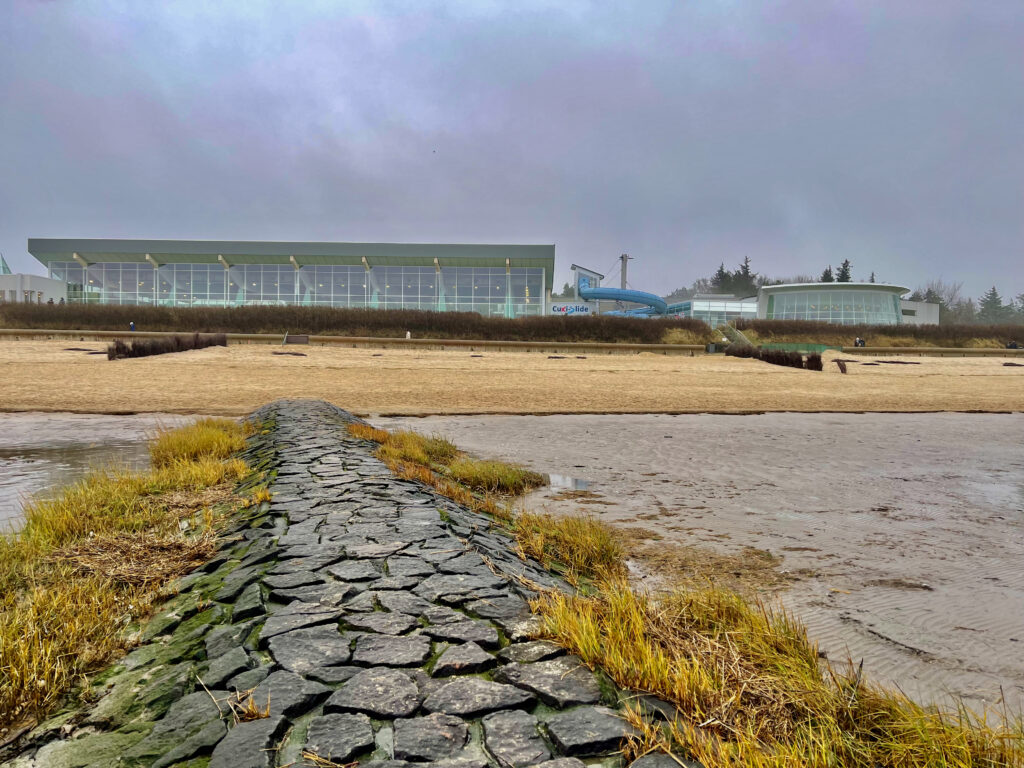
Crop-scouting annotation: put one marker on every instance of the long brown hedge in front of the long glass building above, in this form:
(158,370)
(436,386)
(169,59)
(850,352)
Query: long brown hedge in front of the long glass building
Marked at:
(338,322)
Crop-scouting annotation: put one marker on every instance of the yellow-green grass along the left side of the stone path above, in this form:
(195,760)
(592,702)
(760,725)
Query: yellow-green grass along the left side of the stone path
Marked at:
(92,560)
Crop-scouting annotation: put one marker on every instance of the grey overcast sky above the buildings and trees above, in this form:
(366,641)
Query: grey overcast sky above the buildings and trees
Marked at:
(687,134)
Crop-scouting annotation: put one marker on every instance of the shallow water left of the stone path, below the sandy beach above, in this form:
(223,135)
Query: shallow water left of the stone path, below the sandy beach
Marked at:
(41,452)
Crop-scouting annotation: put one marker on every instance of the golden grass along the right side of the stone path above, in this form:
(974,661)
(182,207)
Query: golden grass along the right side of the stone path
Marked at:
(749,687)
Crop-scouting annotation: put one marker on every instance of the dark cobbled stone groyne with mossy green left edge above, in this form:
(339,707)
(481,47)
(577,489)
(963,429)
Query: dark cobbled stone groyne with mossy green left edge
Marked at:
(381,622)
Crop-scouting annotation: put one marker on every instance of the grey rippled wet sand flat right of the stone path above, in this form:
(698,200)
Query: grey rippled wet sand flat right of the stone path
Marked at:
(904,534)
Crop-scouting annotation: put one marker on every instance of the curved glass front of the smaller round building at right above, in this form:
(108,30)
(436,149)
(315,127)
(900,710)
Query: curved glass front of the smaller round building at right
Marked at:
(838,307)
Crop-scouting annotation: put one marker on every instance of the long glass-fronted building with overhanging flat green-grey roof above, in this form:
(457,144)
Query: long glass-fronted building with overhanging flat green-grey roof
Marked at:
(504,281)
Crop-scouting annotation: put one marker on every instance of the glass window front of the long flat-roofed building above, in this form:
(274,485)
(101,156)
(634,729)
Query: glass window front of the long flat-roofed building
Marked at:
(492,291)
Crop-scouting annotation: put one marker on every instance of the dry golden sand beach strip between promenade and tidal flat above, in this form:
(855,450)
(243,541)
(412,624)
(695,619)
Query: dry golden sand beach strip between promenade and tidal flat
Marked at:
(46,376)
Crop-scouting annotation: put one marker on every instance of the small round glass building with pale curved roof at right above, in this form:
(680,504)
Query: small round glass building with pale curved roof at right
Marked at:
(841,304)
